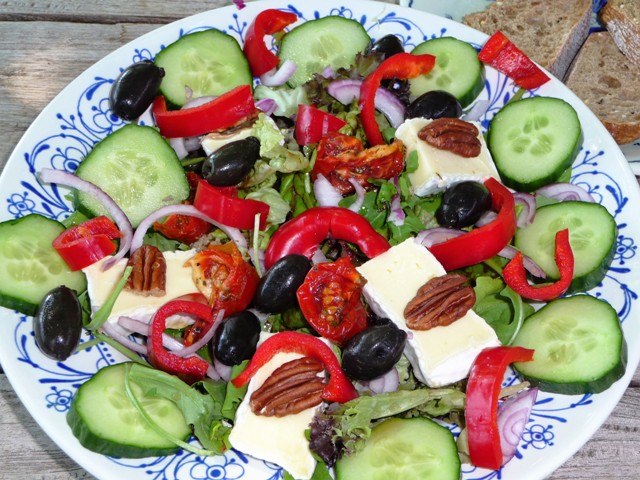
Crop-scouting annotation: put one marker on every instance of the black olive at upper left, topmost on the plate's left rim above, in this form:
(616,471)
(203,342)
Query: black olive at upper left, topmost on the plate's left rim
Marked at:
(134,89)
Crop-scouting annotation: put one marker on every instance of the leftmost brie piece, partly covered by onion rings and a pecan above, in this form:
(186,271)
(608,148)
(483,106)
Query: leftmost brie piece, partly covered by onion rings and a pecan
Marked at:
(179,282)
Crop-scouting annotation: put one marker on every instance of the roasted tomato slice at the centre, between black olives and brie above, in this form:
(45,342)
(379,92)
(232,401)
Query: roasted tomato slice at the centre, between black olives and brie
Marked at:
(329,299)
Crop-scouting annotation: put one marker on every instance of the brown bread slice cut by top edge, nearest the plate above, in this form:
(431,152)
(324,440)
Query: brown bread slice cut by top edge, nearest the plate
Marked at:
(549,32)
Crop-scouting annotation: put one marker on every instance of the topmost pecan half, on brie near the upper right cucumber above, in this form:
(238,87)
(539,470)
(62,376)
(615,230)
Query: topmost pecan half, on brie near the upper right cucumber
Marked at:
(454,135)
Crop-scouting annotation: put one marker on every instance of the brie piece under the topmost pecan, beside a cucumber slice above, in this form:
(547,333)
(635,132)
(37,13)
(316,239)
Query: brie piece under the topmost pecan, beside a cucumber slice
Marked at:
(437,168)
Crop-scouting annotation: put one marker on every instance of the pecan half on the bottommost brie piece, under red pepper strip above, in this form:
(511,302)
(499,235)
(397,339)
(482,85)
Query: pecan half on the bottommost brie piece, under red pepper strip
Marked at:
(291,388)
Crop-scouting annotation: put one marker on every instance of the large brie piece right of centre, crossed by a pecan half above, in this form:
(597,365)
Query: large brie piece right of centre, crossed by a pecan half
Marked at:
(439,356)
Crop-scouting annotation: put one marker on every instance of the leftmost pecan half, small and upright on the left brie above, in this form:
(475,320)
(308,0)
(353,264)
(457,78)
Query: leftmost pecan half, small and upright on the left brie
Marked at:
(149,275)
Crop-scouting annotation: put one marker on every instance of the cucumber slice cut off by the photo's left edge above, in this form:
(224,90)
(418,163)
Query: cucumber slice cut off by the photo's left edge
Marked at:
(29,266)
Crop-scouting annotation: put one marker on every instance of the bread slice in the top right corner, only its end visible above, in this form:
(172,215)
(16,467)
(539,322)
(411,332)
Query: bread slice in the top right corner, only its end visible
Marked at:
(622,19)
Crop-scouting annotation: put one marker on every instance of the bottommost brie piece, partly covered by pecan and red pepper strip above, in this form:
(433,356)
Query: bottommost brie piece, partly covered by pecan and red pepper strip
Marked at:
(280,440)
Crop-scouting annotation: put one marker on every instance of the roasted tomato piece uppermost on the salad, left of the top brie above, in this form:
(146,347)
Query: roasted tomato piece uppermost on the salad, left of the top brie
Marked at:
(341,157)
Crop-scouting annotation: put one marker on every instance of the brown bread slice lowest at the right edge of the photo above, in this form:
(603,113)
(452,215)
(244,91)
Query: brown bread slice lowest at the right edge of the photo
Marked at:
(609,84)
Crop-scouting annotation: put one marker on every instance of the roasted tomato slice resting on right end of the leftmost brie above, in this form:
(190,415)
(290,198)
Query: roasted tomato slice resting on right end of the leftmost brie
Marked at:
(224,278)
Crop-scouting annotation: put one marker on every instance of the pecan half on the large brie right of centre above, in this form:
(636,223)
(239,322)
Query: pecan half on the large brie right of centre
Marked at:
(440,302)
